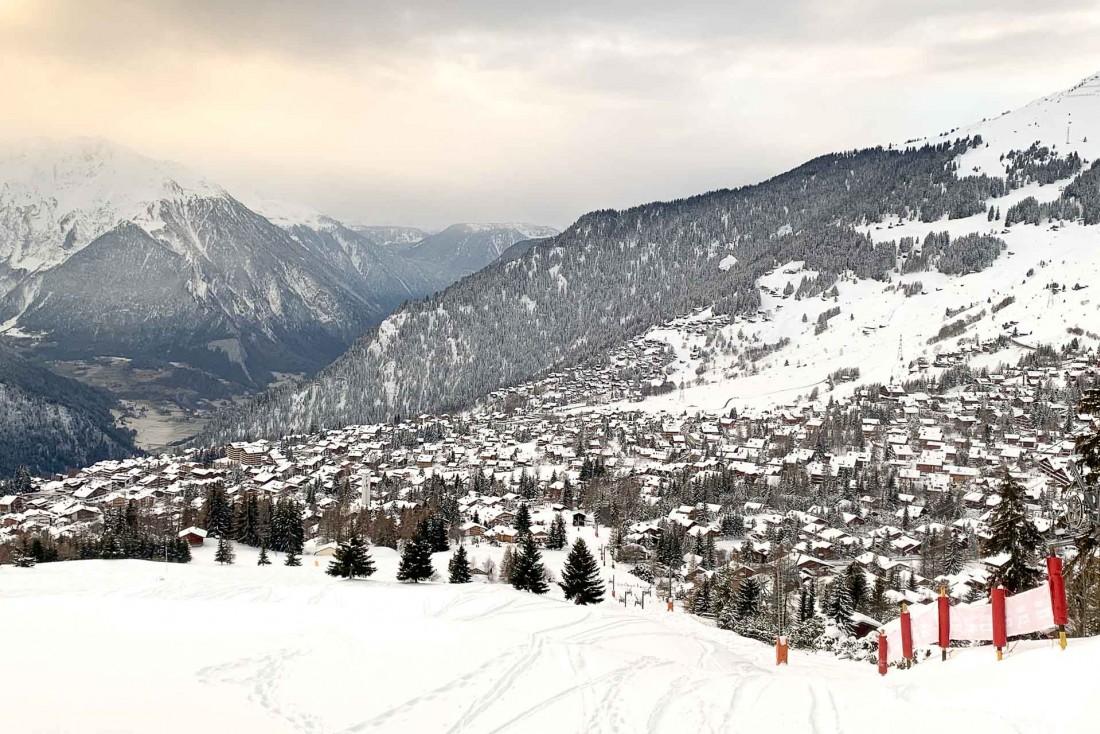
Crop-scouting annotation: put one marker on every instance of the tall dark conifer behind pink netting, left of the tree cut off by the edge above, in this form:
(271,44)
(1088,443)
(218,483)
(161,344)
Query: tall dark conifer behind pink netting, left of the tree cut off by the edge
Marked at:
(1013,533)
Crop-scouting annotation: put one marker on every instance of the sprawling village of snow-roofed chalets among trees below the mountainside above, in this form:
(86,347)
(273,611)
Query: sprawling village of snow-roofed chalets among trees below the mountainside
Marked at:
(832,512)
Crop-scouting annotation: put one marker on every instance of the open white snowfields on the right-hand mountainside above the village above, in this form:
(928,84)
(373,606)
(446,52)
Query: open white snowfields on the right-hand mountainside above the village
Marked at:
(877,320)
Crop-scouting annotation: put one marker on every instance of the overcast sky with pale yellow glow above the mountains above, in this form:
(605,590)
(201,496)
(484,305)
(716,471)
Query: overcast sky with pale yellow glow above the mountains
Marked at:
(433,112)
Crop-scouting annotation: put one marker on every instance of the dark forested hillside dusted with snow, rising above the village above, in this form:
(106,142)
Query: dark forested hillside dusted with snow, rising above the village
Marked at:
(614,275)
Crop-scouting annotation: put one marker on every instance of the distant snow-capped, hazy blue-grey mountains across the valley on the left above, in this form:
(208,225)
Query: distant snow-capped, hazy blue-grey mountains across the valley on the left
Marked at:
(106,253)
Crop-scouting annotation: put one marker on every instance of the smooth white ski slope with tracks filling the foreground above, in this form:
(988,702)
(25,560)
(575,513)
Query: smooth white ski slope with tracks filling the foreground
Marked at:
(140,647)
